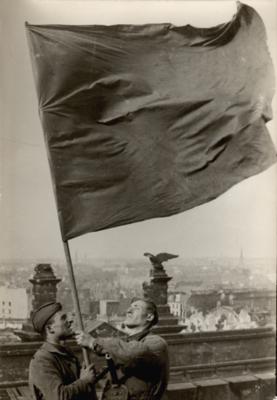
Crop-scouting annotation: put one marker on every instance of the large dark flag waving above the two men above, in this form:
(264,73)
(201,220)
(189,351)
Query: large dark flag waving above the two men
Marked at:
(150,120)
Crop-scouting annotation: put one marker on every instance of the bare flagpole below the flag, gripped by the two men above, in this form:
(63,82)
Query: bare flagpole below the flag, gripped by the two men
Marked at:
(75,295)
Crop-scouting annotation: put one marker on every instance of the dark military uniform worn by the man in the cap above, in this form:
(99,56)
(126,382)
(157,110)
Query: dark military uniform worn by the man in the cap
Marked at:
(54,375)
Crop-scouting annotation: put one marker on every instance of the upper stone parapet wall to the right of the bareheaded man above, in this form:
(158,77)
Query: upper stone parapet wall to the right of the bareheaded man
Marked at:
(224,352)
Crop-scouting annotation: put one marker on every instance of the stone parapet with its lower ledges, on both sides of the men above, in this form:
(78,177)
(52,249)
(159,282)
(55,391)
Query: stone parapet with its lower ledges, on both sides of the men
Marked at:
(237,363)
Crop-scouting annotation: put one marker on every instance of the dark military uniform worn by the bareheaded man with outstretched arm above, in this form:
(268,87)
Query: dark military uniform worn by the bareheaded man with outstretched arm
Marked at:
(143,361)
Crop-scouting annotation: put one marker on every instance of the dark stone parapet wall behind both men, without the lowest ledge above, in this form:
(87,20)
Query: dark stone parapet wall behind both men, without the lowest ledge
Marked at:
(192,356)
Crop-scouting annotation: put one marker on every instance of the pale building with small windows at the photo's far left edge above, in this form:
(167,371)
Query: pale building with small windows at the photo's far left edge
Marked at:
(13,303)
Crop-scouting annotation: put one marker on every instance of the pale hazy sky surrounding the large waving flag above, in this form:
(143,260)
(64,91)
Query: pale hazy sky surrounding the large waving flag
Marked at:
(242,218)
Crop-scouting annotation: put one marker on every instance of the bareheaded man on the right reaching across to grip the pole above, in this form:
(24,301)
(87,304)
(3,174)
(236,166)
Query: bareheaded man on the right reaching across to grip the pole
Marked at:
(142,358)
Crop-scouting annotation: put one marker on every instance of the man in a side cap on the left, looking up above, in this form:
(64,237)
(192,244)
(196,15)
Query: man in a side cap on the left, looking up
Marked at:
(55,373)
